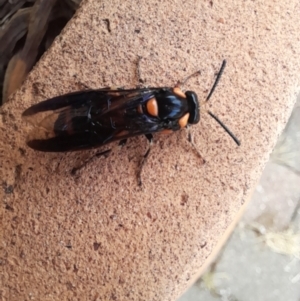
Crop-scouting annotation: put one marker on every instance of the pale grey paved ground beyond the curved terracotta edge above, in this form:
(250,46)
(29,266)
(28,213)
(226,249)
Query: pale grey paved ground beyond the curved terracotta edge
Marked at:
(261,261)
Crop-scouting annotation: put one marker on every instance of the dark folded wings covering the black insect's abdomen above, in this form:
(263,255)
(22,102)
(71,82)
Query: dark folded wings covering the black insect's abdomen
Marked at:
(87,119)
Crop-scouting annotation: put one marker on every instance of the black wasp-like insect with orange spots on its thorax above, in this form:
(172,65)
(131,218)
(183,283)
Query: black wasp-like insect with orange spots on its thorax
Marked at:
(92,118)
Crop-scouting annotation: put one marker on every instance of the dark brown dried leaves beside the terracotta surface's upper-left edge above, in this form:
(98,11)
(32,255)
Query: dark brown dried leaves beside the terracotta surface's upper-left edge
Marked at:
(27,30)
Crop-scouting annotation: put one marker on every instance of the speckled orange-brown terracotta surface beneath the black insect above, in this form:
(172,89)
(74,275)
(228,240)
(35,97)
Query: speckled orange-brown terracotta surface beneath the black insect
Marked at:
(98,235)
